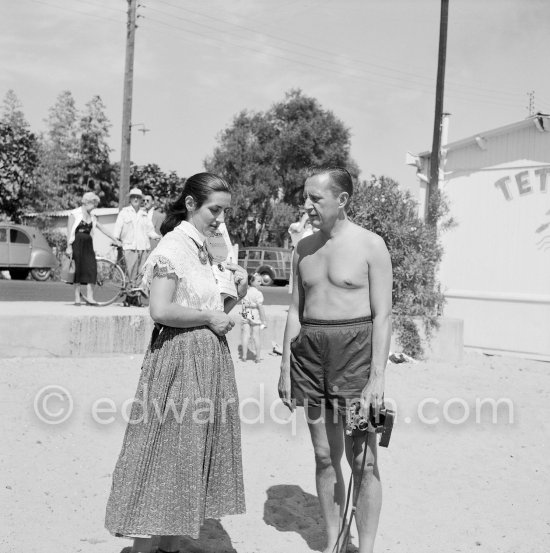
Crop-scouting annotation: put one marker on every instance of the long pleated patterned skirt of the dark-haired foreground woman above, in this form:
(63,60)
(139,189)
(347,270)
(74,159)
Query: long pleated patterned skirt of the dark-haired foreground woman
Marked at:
(181,457)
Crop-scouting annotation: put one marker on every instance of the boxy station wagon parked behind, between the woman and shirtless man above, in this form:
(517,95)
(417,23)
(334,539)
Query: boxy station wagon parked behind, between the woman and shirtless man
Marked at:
(273,264)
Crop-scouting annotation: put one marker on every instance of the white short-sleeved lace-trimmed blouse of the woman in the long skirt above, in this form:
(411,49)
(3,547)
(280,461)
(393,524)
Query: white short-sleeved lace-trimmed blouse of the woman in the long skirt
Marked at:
(177,254)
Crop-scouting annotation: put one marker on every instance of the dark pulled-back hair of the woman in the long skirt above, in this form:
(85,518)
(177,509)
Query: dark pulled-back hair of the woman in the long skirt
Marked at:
(199,187)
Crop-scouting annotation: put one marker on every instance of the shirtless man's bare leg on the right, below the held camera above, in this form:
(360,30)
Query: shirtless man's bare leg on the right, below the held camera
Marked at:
(369,494)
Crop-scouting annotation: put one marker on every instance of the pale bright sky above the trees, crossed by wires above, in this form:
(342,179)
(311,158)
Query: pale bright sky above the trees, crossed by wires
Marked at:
(198,63)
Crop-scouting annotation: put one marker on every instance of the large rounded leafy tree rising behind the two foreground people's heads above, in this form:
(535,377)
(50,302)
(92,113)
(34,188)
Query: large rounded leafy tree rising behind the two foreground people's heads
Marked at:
(264,156)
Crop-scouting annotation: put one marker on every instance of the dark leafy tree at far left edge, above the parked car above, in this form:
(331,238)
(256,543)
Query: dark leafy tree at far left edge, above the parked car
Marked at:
(18,160)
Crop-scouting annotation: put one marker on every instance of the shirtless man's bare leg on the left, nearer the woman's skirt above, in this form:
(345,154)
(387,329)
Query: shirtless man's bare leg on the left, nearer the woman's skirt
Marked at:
(328,445)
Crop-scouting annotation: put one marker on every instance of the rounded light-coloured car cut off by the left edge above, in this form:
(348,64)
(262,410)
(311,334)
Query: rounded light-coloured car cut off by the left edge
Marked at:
(24,249)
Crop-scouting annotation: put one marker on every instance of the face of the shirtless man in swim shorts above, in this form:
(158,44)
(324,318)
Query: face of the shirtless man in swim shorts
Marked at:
(321,204)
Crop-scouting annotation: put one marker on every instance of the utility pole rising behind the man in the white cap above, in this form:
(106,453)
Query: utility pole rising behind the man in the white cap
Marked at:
(124,184)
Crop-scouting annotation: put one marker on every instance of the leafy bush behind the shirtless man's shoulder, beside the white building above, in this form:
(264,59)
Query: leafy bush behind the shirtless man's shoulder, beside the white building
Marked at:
(382,207)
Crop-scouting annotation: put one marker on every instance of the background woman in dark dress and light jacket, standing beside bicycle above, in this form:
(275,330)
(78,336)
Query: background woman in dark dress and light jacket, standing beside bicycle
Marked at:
(80,246)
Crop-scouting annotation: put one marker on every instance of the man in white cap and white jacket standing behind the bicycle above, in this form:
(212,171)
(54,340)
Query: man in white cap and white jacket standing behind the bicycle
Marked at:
(134,229)
